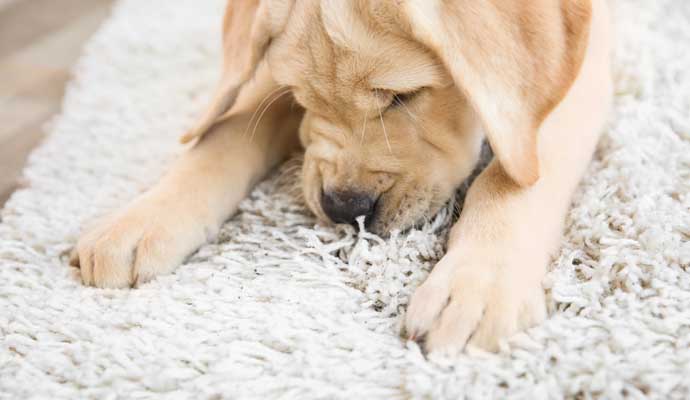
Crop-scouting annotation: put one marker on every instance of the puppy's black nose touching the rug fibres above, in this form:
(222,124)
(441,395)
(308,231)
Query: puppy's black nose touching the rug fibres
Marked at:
(343,207)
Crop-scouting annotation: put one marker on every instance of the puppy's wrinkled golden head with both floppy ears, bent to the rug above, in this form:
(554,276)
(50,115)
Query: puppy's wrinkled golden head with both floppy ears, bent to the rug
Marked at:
(396,93)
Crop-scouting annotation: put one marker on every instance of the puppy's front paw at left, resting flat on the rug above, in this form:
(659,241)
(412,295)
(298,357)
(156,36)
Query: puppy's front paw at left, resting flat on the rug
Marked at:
(135,245)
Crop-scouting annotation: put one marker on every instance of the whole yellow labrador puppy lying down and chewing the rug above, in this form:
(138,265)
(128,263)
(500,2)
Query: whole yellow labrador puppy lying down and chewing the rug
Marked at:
(394,100)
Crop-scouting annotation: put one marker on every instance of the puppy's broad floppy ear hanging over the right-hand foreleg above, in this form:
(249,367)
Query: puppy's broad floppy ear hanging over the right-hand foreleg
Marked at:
(514,60)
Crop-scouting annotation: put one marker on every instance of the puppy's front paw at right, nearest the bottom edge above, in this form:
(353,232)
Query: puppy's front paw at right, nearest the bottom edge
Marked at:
(464,302)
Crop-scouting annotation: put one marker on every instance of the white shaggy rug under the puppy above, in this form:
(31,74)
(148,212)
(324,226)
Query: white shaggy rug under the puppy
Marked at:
(282,308)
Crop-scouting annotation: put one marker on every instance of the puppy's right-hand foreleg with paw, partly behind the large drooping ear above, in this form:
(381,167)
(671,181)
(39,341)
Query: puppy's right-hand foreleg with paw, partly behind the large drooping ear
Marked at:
(488,286)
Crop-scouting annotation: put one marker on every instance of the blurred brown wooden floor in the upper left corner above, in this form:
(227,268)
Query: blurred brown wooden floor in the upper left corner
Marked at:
(39,42)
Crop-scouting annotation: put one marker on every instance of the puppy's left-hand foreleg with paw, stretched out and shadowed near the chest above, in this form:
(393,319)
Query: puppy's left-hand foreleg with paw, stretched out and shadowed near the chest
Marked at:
(159,229)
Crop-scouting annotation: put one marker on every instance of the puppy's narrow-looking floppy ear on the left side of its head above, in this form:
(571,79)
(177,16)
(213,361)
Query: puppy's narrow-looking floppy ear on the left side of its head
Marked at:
(248,28)
